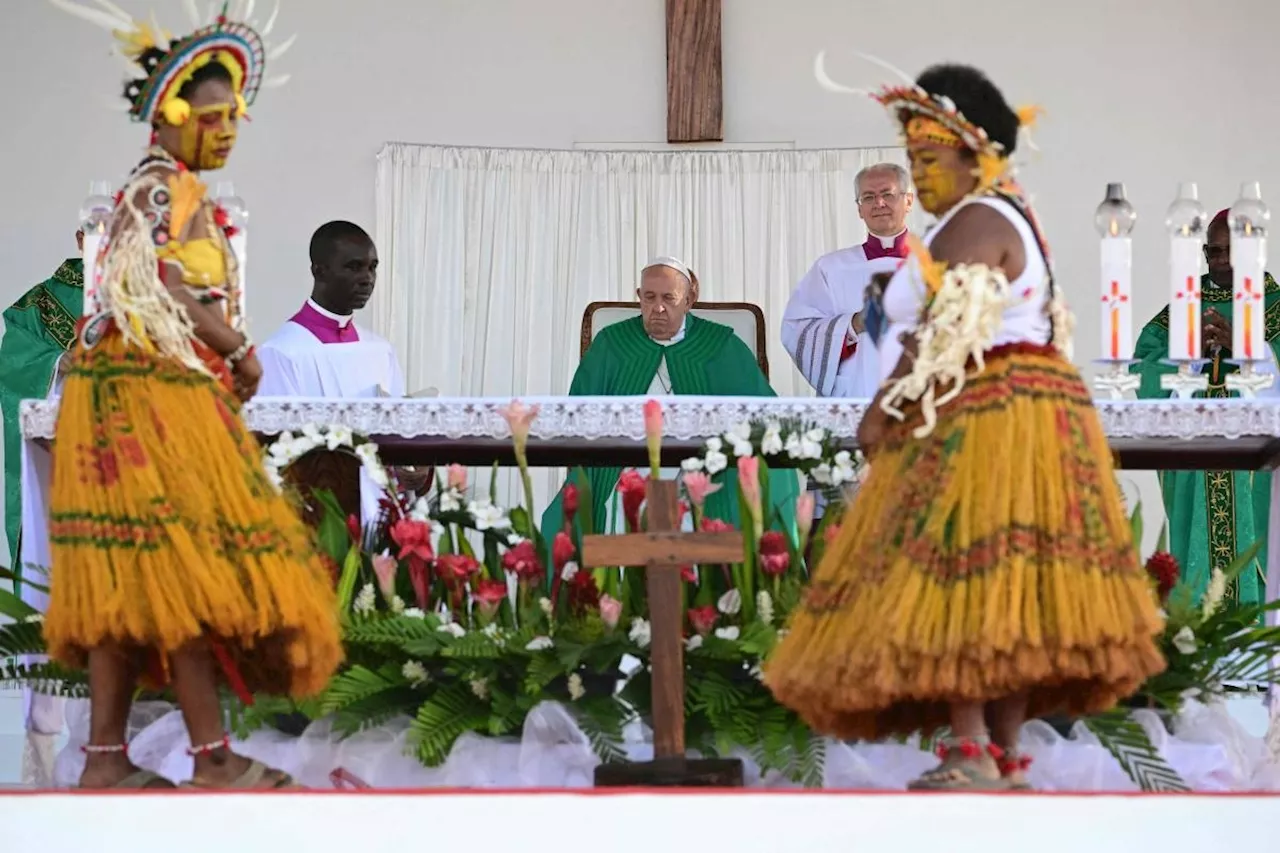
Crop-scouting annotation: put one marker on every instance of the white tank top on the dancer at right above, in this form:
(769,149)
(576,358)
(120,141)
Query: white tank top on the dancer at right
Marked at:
(1026,318)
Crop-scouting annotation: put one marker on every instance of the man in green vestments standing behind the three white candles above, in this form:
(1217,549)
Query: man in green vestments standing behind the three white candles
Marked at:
(1214,516)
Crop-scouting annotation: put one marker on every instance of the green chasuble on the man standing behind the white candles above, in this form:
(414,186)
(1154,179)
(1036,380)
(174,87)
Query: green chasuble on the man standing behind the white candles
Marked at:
(1213,516)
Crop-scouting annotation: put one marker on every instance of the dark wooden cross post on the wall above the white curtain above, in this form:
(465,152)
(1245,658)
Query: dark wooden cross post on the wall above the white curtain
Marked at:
(696,98)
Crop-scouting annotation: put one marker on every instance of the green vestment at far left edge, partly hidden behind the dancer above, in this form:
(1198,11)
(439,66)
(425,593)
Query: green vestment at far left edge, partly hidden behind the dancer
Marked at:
(39,329)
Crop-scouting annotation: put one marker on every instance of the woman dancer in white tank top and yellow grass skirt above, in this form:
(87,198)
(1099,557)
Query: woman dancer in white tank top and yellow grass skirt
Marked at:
(985,572)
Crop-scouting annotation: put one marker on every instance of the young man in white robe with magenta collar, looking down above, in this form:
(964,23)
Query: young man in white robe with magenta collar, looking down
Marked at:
(322,352)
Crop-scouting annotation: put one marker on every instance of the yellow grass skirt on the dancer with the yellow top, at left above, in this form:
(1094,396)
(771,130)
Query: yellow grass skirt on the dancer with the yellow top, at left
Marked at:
(164,530)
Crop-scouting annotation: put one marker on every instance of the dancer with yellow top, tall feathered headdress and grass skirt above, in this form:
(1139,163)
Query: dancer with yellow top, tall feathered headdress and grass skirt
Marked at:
(175,560)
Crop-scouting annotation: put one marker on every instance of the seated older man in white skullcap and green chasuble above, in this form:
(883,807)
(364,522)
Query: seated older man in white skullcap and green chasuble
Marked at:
(669,352)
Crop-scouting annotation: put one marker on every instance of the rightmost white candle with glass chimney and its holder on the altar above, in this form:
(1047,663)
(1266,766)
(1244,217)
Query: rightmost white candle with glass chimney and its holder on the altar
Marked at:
(1249,221)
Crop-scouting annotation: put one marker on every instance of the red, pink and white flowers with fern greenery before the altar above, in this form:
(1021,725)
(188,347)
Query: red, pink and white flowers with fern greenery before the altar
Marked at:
(464,617)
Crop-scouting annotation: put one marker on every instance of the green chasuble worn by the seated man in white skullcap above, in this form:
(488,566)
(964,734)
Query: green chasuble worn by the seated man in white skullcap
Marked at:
(711,361)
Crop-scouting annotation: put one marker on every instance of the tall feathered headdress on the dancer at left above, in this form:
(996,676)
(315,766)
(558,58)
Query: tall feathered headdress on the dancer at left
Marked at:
(158,65)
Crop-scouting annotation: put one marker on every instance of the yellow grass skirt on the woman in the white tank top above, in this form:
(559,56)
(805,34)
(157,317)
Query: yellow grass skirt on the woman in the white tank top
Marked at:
(990,559)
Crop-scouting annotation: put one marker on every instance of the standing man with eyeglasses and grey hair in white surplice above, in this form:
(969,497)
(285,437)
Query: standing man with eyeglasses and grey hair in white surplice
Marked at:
(822,327)
